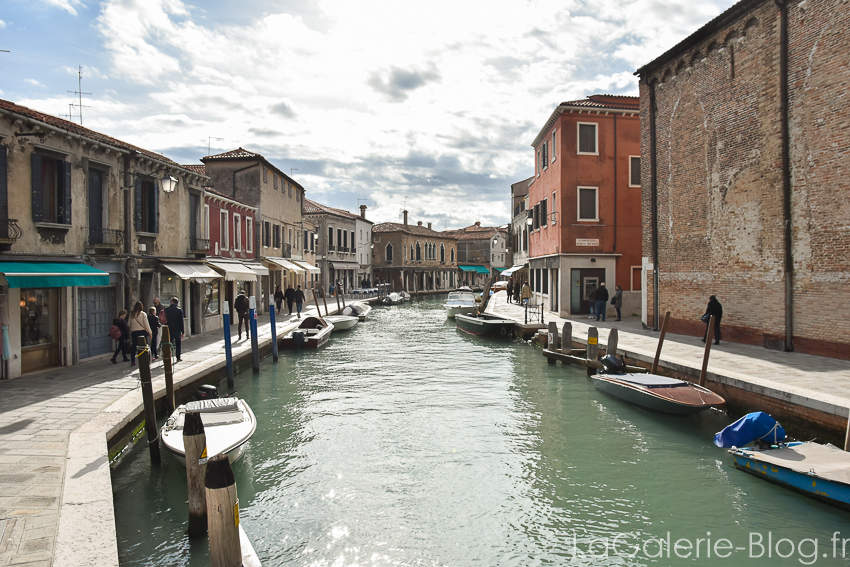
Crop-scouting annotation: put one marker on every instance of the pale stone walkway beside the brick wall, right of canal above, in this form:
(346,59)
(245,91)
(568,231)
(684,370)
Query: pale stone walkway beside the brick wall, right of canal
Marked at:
(811,381)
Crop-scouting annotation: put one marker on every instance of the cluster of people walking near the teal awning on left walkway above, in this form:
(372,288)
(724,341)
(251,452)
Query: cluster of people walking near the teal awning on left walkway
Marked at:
(146,324)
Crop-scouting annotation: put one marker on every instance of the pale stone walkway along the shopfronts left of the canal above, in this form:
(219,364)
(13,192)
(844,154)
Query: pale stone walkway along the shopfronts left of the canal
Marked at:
(43,414)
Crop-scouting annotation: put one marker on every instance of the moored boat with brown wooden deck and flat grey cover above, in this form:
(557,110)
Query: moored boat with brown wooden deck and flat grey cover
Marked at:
(657,393)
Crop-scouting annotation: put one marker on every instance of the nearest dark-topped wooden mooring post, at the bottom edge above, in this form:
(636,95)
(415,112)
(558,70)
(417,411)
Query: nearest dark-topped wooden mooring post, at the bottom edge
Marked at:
(222,513)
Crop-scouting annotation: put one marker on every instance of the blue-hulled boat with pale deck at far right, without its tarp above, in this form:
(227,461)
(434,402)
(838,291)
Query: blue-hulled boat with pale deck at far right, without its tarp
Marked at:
(819,471)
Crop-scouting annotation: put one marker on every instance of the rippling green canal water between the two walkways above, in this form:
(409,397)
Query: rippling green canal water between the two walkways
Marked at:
(407,442)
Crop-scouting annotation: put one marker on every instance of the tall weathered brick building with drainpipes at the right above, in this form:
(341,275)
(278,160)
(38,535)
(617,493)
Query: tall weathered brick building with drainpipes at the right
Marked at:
(742,200)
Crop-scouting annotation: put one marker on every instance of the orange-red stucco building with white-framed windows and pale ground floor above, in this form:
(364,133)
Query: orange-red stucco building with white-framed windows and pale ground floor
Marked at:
(584,204)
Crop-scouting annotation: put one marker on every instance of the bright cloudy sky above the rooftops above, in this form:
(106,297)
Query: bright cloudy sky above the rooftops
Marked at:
(430,106)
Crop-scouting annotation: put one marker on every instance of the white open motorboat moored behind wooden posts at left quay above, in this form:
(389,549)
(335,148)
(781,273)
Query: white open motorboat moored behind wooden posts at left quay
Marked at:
(228,425)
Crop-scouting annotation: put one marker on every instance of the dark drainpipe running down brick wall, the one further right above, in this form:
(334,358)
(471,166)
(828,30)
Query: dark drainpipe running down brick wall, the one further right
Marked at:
(786,173)
